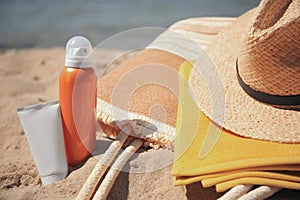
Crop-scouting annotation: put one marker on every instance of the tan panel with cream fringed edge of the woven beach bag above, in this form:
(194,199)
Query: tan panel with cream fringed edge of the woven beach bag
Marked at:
(139,89)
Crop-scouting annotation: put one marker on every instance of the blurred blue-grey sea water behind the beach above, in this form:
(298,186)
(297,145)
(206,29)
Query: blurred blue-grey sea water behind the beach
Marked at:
(50,23)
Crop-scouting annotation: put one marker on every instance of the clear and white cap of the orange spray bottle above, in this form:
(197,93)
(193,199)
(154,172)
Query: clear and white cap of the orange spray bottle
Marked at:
(78,53)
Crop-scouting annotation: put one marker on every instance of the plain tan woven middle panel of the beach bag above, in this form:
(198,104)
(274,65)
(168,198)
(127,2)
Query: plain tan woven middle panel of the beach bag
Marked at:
(135,85)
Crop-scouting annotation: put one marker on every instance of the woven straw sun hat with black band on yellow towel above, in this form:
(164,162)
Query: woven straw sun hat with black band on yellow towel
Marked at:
(258,61)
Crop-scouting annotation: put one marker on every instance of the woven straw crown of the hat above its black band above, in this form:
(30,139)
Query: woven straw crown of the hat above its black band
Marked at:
(270,60)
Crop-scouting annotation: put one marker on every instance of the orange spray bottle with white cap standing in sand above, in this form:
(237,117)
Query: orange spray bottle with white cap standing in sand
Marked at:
(77,96)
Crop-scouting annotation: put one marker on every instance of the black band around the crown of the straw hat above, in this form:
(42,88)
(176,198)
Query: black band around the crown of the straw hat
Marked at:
(291,100)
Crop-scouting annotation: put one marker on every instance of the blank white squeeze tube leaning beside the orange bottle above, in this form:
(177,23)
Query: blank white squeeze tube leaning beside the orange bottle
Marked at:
(43,129)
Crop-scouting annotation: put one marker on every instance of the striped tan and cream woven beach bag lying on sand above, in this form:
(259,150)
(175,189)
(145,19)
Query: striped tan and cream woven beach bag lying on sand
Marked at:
(146,85)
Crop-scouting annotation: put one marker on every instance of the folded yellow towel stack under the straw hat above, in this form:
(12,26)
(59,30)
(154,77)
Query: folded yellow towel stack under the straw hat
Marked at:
(228,160)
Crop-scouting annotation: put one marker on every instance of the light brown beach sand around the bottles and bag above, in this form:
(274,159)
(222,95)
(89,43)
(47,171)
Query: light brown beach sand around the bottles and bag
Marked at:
(30,76)
